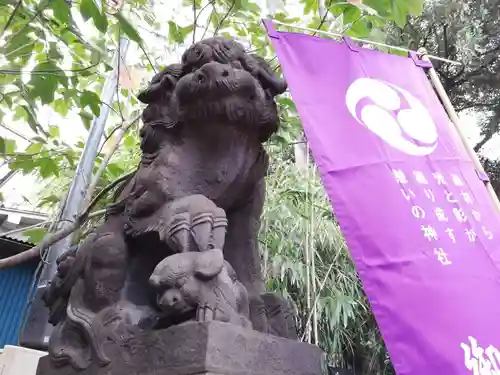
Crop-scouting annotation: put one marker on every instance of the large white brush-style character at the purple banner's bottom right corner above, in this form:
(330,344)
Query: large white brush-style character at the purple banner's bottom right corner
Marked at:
(481,361)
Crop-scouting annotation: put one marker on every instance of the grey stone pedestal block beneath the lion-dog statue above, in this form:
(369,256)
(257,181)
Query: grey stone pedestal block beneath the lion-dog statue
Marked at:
(213,348)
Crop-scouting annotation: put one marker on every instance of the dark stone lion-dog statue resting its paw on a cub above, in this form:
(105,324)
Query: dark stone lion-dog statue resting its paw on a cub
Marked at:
(199,187)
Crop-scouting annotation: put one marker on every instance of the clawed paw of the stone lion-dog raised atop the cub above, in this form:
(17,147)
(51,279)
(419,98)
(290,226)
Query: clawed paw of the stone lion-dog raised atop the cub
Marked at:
(195,224)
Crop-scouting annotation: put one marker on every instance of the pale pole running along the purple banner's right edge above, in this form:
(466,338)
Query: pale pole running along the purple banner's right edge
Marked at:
(457,126)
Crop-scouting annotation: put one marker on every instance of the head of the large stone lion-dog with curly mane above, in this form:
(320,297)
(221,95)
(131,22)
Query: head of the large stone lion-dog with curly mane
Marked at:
(164,111)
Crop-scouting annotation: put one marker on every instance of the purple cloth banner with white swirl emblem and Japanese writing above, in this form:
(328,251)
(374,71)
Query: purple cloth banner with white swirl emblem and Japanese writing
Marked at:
(421,228)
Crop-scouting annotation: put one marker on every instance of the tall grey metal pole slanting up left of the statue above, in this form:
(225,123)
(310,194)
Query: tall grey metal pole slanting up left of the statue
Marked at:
(37,330)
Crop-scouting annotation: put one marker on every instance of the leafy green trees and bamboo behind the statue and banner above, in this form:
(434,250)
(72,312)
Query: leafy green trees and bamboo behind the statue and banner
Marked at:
(56,54)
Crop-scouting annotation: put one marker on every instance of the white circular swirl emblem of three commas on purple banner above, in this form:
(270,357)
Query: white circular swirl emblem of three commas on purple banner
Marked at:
(410,130)
